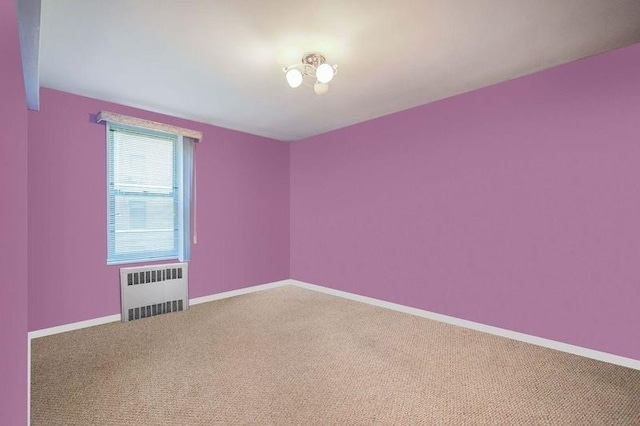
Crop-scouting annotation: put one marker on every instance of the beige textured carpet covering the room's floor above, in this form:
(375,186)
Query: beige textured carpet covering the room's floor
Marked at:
(289,356)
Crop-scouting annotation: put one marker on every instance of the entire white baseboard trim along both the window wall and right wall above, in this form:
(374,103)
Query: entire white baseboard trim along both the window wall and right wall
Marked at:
(552,344)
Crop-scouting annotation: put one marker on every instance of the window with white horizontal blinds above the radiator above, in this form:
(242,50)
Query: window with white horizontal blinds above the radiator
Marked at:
(149,177)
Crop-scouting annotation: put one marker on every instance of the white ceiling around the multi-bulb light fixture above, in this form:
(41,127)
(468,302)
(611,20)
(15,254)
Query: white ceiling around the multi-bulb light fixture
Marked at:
(220,62)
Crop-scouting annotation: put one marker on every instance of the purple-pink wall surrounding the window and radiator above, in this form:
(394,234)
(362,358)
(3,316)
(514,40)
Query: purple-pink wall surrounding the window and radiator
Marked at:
(242,210)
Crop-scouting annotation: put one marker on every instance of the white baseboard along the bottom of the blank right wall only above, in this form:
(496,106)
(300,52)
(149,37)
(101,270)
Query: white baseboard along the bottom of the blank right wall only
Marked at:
(539,341)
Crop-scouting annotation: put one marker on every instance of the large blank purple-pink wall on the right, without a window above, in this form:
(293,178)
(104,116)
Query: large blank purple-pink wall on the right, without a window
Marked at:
(517,205)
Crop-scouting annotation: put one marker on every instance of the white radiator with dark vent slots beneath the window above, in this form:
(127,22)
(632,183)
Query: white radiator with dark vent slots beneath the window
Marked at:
(147,291)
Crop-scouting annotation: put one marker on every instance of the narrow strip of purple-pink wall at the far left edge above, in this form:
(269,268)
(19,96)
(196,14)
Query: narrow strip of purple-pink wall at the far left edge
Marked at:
(13,224)
